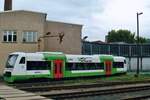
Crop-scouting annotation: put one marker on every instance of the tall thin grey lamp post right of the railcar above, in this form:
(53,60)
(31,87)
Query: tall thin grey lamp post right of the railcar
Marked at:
(138,53)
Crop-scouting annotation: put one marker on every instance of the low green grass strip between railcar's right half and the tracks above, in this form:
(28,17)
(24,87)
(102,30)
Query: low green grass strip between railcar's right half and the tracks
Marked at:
(130,77)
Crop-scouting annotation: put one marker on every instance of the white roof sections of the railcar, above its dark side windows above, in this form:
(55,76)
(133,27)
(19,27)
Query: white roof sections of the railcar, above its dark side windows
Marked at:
(69,57)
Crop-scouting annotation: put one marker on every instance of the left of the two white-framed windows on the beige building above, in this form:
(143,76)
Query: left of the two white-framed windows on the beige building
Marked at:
(10,36)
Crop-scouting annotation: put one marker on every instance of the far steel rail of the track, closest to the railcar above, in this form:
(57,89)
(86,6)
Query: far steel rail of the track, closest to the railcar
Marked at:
(55,86)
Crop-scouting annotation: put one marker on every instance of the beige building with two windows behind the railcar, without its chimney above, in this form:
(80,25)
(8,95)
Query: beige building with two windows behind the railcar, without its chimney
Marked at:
(27,31)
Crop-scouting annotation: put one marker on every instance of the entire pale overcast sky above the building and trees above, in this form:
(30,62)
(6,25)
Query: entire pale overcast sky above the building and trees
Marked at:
(97,16)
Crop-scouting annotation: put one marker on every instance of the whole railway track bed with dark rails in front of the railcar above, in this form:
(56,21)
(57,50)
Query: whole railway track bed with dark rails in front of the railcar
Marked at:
(73,89)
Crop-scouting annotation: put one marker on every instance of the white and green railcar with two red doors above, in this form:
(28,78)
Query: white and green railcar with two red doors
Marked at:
(56,65)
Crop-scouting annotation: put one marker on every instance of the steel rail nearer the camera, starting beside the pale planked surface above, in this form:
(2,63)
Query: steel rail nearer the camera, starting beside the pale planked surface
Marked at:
(83,93)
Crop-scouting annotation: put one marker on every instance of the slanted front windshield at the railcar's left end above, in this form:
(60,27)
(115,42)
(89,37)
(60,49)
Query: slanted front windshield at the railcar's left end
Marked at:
(11,61)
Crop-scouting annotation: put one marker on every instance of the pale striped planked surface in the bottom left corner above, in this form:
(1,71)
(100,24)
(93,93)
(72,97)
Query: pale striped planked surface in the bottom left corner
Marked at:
(9,93)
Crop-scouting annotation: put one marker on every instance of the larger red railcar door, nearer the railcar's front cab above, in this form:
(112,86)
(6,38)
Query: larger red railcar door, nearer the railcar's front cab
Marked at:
(58,69)
